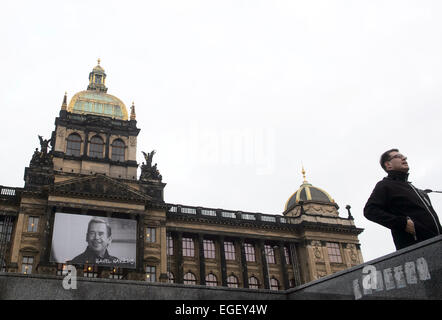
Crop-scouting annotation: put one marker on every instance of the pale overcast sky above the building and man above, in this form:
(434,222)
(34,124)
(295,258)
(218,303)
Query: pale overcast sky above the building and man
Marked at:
(236,95)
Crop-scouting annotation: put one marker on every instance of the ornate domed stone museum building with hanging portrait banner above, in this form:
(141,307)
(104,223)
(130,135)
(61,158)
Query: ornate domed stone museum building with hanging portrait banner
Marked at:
(85,203)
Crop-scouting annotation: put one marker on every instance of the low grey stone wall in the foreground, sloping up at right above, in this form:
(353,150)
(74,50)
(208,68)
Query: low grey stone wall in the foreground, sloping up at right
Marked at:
(411,273)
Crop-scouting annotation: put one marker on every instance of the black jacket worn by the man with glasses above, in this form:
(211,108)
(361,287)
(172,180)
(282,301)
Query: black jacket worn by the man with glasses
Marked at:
(393,200)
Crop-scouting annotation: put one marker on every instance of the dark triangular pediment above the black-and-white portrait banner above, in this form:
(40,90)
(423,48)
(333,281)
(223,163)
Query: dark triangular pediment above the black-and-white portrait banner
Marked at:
(99,186)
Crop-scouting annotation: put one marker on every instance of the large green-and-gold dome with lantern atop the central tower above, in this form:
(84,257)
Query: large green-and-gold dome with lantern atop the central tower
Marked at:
(95,100)
